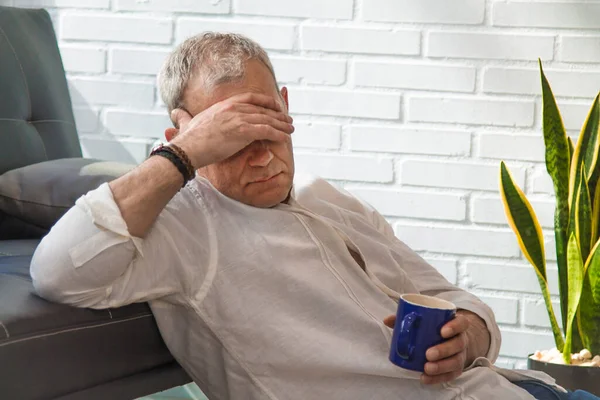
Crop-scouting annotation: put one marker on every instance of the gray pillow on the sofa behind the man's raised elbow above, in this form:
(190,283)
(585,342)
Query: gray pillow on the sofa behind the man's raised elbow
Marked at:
(39,194)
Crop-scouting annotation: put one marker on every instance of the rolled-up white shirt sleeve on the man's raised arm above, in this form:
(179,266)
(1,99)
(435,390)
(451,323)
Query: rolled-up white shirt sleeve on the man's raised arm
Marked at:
(89,259)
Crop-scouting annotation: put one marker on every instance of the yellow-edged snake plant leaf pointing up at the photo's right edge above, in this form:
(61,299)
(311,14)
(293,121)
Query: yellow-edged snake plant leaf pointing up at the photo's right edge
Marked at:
(588,147)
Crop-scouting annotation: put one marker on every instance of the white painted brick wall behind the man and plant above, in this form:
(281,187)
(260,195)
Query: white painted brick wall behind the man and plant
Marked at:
(411,104)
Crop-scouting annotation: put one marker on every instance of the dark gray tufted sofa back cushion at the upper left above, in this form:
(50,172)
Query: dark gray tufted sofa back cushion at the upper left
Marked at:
(36,119)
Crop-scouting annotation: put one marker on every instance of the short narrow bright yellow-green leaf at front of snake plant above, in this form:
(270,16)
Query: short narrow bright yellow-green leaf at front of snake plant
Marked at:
(575,264)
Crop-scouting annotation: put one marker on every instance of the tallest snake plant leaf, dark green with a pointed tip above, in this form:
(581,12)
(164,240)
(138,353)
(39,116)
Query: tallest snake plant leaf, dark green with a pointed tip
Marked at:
(558,160)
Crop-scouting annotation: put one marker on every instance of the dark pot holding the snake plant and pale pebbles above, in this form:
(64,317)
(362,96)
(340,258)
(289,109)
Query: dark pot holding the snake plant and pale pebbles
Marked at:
(570,377)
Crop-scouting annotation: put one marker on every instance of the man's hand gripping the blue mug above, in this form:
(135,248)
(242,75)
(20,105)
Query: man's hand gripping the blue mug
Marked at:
(447,360)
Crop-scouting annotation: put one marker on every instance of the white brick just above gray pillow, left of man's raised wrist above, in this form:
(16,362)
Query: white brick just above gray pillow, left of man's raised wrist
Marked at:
(132,151)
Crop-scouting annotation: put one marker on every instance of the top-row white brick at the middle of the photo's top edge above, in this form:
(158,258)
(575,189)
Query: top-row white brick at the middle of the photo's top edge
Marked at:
(339,9)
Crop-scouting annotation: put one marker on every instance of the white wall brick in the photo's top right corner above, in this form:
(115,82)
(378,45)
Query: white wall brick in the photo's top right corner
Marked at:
(567,14)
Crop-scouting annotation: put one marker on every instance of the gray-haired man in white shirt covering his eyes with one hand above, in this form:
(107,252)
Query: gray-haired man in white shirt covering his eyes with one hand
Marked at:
(263,286)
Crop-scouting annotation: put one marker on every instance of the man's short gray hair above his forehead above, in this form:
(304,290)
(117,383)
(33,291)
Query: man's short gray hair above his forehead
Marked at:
(215,58)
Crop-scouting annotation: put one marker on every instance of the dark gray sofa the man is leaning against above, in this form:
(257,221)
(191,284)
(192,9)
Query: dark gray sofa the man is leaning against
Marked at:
(52,351)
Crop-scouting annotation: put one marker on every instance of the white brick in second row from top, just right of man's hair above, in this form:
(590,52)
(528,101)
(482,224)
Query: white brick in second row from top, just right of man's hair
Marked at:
(360,40)
